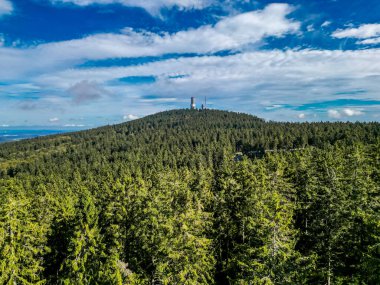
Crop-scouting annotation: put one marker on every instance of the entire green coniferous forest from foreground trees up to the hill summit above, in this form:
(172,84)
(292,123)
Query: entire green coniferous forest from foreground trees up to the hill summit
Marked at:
(193,197)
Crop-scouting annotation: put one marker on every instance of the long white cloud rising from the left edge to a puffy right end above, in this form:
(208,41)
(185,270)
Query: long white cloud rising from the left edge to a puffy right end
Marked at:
(230,33)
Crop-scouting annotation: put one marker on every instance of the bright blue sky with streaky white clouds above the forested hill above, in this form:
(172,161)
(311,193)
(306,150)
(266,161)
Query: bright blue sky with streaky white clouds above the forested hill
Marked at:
(86,63)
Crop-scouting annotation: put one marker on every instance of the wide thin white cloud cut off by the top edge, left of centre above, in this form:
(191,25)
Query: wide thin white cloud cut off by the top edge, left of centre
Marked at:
(152,6)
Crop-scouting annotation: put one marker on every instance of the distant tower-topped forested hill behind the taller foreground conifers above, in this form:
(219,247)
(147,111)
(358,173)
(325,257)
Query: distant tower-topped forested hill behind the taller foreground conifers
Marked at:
(180,138)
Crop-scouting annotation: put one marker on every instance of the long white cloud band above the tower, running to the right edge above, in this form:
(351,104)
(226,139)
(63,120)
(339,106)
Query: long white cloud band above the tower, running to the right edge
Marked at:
(274,68)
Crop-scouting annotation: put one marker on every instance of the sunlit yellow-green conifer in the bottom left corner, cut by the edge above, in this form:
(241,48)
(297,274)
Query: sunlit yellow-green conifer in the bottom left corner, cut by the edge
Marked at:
(22,239)
